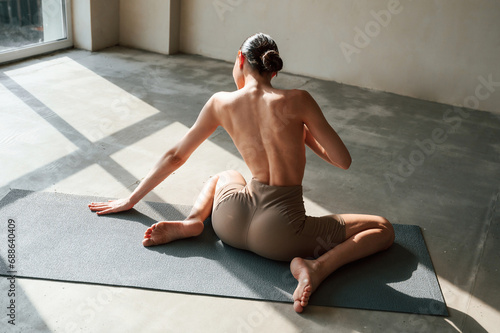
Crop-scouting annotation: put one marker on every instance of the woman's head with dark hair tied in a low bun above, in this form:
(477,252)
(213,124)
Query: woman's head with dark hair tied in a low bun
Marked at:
(262,53)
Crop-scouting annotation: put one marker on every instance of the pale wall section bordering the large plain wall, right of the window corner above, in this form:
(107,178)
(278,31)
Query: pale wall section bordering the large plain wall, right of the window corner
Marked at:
(146,24)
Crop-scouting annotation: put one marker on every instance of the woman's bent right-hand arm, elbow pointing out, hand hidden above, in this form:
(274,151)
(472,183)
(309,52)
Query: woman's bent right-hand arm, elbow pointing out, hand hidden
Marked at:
(320,136)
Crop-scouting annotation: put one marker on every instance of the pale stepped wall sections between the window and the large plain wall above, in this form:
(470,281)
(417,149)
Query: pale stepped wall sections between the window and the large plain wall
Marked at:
(151,25)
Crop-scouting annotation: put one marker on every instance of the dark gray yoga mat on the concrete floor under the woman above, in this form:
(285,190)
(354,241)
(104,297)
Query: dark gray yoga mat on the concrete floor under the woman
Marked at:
(58,238)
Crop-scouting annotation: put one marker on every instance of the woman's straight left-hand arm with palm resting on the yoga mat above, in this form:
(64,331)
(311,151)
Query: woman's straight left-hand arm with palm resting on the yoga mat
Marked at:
(204,126)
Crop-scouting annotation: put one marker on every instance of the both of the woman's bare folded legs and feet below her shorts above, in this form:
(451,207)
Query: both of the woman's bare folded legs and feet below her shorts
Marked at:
(365,235)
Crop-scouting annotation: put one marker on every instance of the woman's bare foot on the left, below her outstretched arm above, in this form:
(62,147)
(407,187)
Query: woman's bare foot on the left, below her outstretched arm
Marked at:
(168,231)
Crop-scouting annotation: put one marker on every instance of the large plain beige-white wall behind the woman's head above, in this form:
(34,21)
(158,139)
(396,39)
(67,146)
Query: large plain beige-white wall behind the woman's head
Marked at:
(438,50)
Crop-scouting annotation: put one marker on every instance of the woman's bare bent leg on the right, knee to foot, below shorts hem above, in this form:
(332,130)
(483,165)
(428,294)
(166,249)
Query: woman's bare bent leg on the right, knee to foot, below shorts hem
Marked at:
(365,235)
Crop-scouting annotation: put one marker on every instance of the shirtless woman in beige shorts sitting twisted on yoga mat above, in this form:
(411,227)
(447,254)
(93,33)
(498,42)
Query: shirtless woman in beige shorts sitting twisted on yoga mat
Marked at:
(270,128)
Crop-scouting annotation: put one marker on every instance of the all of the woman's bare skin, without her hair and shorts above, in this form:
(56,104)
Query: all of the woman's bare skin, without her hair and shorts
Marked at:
(270,127)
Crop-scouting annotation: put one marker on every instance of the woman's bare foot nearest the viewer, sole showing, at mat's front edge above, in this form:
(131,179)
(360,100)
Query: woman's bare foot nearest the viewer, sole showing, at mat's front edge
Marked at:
(306,273)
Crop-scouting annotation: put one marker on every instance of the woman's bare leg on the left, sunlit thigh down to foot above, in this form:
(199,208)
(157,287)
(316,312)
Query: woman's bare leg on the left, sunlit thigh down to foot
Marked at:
(168,231)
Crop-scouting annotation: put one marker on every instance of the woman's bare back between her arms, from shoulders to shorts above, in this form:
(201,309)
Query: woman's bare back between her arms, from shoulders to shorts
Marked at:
(268,130)
